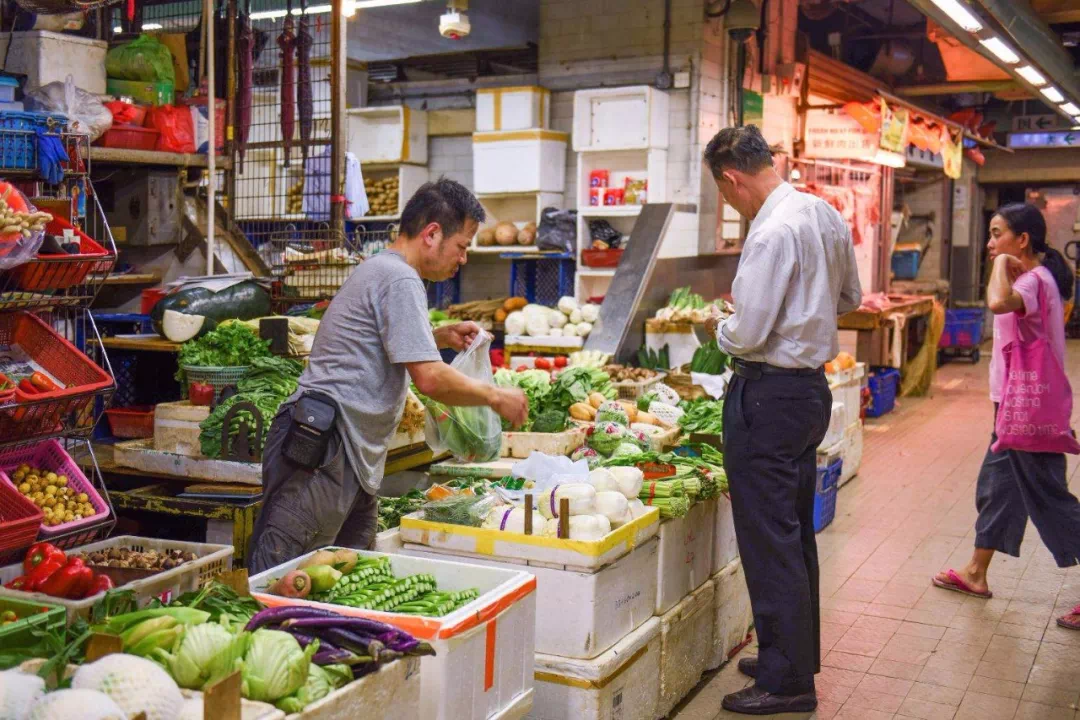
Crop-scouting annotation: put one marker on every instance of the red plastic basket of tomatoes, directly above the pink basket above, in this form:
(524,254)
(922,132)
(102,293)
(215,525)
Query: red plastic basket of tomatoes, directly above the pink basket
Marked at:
(79,376)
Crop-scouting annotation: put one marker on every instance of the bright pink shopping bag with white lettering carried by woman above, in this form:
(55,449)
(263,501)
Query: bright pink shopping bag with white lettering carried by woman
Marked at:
(1037,402)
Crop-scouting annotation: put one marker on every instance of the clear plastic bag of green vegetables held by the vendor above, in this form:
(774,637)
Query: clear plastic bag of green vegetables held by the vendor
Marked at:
(471,434)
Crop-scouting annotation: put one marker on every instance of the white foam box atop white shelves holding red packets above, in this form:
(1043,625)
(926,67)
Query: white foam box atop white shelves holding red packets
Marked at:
(620,119)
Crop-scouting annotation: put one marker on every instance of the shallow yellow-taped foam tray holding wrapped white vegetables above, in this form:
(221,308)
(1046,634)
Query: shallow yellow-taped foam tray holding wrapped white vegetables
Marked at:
(482,544)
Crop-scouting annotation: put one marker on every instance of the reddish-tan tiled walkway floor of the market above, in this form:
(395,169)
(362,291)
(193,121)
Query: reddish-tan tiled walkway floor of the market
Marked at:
(895,646)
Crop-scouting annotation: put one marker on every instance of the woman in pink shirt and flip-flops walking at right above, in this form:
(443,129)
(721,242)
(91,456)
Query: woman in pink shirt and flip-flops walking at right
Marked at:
(1015,485)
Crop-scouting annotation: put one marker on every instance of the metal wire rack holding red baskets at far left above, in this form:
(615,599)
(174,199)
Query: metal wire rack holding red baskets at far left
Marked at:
(61,296)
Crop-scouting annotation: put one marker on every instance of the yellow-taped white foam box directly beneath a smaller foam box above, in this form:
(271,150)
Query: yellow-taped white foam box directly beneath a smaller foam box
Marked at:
(520,161)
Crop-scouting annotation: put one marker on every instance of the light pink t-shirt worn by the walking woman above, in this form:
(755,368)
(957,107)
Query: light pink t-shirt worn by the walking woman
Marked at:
(1006,328)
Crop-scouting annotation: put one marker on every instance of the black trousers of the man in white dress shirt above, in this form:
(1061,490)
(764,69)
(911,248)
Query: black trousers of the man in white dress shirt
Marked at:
(773,428)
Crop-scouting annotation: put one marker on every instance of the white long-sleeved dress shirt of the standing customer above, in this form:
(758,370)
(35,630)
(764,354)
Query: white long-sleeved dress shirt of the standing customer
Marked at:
(796,275)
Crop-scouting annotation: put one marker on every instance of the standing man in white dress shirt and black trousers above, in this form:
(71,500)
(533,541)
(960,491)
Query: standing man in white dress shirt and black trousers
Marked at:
(796,275)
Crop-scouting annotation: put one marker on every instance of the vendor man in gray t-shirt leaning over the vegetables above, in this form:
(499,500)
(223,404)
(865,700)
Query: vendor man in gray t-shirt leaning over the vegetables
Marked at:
(373,338)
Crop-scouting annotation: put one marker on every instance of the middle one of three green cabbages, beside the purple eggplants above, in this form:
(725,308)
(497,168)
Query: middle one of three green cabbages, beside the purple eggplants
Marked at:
(276,667)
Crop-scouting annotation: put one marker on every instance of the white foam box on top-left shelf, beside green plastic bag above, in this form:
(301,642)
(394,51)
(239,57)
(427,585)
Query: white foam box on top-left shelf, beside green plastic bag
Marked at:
(45,57)
